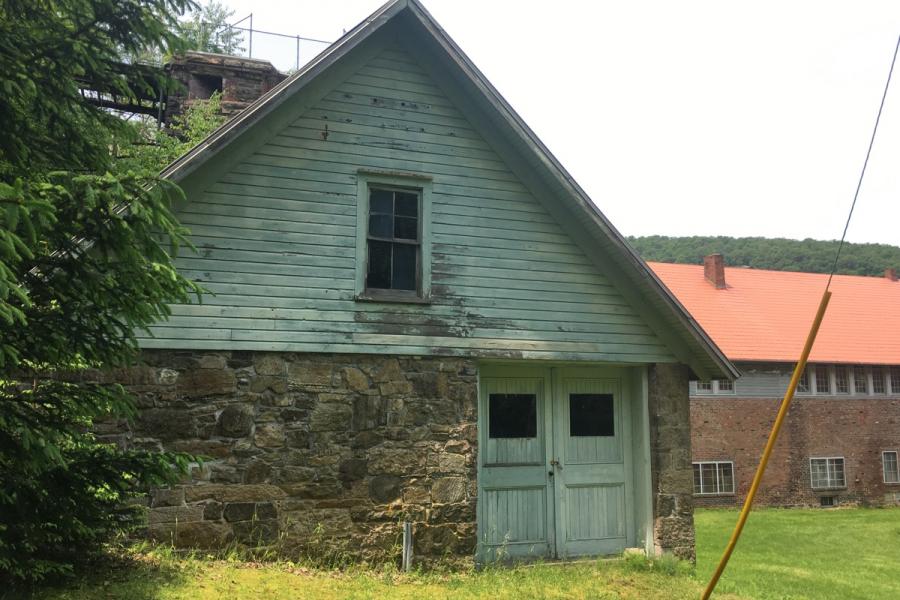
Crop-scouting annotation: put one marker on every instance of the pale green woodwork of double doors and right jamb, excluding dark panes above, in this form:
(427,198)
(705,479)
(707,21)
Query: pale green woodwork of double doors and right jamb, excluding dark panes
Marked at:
(557,494)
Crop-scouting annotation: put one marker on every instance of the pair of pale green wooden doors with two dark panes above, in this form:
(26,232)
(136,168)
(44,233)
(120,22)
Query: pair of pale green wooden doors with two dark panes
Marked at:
(554,459)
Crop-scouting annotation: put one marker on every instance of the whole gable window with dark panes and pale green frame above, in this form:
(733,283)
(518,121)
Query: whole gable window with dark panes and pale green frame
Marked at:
(393,245)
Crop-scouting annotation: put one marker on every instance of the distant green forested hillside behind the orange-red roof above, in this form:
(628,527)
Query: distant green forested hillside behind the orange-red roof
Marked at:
(779,254)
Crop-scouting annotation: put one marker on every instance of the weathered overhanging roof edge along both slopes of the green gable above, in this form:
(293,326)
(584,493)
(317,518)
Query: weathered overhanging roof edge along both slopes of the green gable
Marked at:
(565,199)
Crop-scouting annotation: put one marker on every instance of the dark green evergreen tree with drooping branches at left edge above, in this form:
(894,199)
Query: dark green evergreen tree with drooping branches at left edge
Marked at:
(86,250)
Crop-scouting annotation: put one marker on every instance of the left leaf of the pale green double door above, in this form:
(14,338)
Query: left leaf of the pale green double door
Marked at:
(515,502)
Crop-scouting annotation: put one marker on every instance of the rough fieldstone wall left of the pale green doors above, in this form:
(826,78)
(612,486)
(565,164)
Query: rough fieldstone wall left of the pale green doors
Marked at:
(332,451)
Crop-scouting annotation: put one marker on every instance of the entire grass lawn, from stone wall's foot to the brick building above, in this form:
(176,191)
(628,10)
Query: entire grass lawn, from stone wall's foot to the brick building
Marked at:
(841,554)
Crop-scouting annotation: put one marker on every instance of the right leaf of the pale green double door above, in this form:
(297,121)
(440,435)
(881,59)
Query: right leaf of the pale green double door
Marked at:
(591,460)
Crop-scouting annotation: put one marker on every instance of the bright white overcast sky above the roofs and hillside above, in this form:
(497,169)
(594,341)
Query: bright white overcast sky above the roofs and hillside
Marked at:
(683,118)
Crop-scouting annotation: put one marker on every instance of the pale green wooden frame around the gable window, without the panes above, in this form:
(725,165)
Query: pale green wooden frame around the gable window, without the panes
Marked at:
(415,182)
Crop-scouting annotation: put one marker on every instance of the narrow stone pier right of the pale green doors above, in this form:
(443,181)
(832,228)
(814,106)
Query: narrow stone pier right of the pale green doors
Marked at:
(670,457)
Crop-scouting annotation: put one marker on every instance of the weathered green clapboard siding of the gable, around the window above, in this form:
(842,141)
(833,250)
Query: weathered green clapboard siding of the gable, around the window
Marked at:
(276,236)
